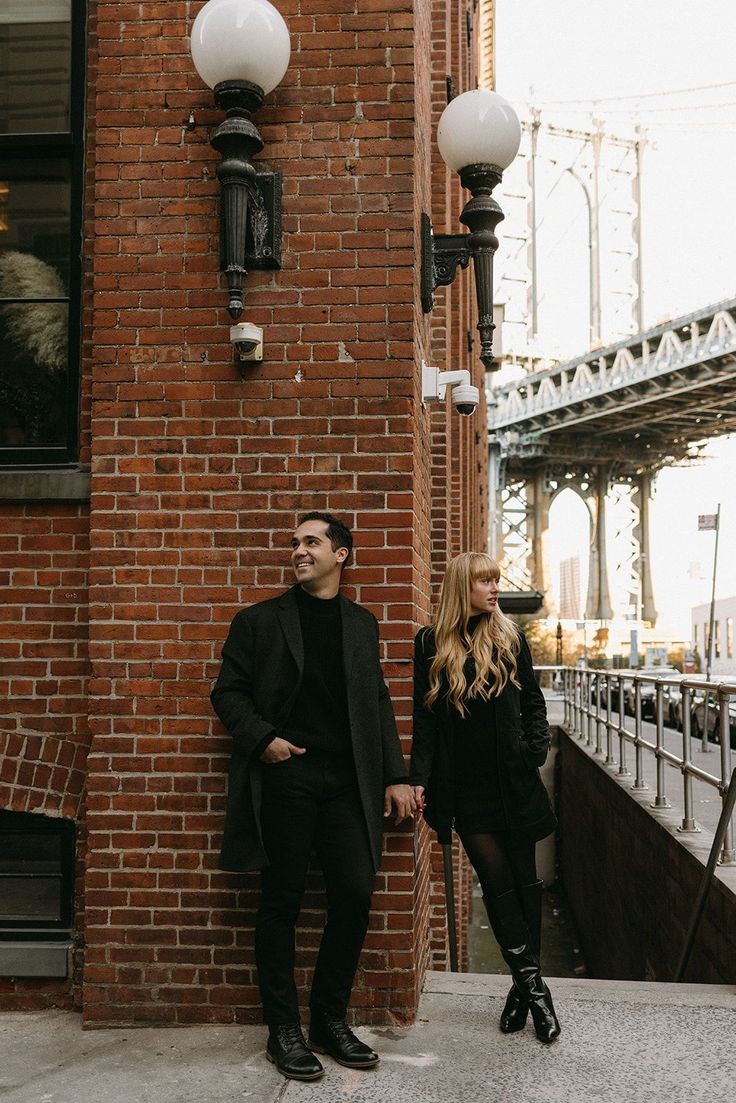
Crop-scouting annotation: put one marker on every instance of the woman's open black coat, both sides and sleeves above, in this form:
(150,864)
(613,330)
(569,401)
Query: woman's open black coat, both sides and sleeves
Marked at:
(522,742)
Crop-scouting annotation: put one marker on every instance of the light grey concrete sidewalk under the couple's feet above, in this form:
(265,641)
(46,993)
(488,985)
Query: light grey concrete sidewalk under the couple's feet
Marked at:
(622,1042)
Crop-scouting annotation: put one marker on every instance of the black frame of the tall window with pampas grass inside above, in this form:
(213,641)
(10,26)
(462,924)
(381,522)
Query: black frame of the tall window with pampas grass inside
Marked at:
(71,145)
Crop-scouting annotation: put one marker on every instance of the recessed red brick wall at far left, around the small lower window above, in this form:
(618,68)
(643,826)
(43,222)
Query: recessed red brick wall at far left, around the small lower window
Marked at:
(45,667)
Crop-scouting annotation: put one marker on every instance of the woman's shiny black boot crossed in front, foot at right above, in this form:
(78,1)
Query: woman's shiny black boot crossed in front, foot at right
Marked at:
(515,939)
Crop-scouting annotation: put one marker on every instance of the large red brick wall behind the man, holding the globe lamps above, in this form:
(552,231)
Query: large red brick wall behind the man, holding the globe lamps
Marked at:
(199,476)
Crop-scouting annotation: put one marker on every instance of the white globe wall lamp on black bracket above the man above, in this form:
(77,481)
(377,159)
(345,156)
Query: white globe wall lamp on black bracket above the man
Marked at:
(241,49)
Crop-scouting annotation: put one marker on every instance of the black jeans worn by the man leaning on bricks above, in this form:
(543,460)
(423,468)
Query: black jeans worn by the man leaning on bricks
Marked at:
(312,801)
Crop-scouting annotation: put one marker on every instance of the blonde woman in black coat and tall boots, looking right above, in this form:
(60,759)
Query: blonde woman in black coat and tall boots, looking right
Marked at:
(481,734)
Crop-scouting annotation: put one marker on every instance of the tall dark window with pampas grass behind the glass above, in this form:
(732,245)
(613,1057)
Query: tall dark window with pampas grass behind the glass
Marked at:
(42,53)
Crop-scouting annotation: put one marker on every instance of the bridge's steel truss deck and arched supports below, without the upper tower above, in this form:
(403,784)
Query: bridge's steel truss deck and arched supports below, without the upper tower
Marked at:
(617,415)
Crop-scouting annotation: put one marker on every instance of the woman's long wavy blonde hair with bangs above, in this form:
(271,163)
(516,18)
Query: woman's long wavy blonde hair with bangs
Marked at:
(494,646)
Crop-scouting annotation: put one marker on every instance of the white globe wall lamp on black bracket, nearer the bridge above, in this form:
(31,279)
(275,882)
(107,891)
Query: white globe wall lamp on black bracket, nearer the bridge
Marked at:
(478,136)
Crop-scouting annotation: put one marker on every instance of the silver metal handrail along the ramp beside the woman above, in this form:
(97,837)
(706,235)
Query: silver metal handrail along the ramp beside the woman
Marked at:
(591,718)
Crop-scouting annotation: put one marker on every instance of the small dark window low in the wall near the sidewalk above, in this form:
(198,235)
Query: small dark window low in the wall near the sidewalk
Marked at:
(37,876)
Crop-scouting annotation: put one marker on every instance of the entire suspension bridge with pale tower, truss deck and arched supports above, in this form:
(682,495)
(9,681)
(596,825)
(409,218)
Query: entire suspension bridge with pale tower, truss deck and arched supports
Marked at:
(604,423)
